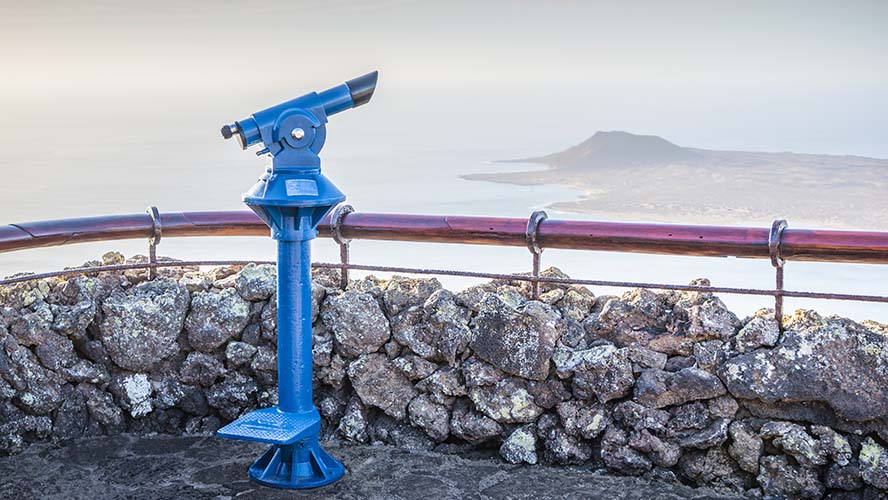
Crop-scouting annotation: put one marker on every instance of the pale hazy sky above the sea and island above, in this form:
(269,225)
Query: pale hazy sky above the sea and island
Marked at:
(805,77)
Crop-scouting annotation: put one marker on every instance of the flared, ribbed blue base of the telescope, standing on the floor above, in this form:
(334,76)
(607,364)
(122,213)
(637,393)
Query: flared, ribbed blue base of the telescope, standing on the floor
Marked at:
(301,465)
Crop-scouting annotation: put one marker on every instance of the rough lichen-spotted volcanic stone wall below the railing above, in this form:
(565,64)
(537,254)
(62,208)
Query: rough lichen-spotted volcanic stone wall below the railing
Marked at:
(670,385)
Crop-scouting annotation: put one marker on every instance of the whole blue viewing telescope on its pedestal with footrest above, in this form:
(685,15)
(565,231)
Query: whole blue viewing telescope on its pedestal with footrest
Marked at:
(292,198)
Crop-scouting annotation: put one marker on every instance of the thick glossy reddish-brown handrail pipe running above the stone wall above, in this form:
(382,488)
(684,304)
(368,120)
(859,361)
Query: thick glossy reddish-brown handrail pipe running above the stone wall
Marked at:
(797,244)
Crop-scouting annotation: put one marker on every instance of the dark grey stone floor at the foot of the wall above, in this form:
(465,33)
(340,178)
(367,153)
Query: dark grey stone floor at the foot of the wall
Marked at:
(167,467)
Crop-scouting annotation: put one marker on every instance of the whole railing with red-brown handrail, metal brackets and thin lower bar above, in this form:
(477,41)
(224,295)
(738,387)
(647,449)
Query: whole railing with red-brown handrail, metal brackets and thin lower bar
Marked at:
(777,243)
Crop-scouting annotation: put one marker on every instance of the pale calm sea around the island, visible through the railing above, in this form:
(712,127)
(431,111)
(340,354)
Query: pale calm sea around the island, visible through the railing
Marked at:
(85,176)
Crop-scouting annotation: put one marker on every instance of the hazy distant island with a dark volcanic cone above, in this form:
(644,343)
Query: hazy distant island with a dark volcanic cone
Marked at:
(646,177)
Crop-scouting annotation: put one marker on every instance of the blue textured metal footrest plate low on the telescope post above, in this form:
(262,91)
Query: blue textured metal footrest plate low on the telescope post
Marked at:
(270,425)
